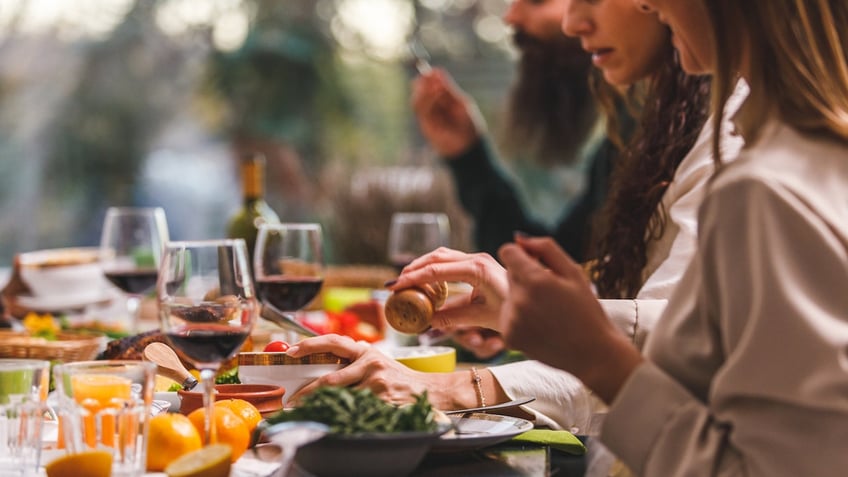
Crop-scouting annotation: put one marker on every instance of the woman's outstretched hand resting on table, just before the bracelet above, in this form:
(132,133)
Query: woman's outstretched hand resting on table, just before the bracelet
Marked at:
(369,368)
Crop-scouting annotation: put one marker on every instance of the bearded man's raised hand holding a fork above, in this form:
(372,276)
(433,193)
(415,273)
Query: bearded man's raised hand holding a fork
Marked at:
(448,118)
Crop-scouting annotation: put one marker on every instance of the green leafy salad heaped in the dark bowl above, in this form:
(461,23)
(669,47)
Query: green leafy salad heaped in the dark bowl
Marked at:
(349,411)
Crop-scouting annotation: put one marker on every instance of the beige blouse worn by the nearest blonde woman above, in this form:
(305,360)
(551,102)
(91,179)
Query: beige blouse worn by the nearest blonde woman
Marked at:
(748,366)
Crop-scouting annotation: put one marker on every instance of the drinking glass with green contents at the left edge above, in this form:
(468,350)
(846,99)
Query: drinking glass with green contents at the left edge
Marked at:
(23,394)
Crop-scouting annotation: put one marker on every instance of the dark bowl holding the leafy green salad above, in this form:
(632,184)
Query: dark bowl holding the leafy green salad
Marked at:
(367,455)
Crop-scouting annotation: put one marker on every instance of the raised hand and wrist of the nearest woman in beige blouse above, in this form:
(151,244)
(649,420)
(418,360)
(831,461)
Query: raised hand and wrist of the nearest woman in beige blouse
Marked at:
(552,315)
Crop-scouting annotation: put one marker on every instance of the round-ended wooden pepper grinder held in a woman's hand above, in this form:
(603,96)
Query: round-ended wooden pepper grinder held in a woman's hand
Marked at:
(411,310)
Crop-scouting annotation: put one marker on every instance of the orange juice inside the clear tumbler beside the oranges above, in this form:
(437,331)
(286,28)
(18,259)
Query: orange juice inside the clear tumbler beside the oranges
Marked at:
(99,394)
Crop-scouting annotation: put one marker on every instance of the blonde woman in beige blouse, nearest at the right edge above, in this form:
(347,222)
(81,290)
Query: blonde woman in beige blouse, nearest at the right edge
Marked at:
(746,373)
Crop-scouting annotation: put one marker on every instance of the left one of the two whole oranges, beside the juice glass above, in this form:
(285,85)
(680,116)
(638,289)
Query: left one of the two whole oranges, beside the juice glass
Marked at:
(169,437)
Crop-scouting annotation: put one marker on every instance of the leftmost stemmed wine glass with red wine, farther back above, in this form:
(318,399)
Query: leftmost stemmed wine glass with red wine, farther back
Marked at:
(130,251)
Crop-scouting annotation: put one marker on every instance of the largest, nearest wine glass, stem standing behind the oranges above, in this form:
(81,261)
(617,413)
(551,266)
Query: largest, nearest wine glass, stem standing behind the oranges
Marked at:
(207,306)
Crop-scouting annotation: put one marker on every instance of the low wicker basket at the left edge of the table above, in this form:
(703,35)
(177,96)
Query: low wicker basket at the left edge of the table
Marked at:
(68,347)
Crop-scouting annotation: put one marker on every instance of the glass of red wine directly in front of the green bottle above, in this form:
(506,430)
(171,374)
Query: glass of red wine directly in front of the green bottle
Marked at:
(288,264)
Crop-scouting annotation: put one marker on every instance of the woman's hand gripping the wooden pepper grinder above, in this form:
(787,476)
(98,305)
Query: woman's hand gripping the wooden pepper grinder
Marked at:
(485,275)
